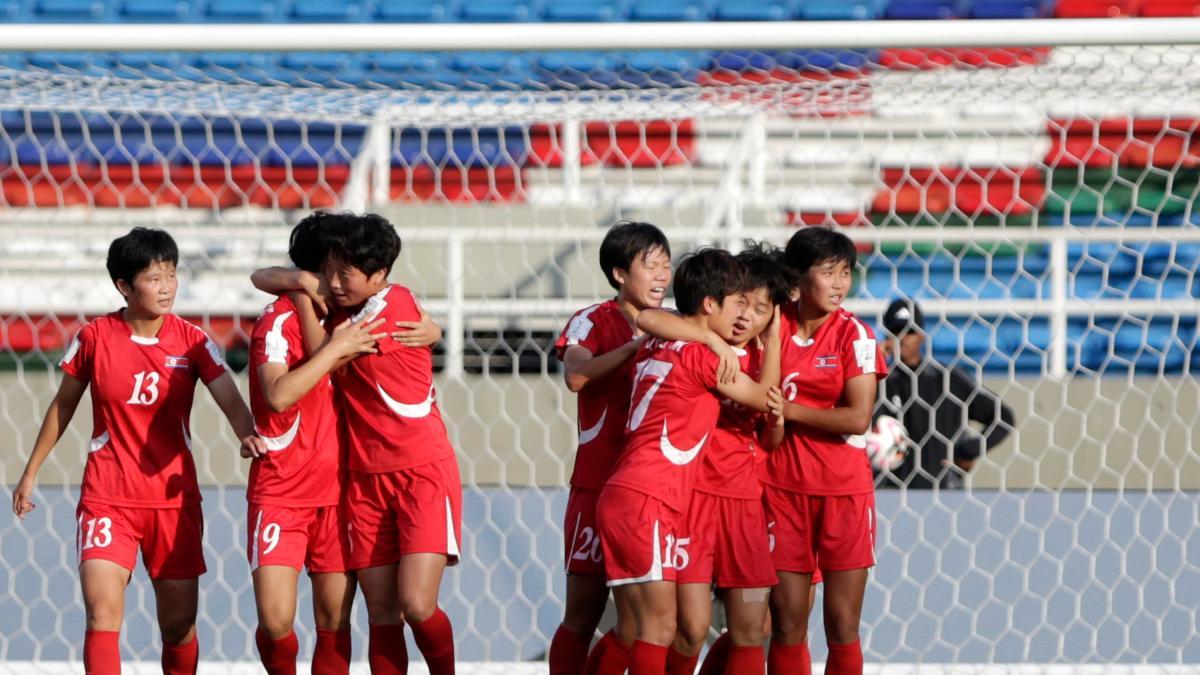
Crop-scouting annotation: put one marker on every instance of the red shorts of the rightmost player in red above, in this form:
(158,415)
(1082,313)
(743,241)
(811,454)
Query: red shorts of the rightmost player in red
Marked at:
(806,529)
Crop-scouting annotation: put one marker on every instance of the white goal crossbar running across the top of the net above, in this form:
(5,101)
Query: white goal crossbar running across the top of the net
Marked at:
(536,37)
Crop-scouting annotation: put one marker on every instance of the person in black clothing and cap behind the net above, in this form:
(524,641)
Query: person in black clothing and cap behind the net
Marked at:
(937,405)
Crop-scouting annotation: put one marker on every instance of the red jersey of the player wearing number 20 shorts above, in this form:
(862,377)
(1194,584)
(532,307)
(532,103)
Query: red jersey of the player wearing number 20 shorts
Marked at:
(603,404)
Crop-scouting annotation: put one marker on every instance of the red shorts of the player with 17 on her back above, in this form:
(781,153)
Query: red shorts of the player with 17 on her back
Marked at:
(638,535)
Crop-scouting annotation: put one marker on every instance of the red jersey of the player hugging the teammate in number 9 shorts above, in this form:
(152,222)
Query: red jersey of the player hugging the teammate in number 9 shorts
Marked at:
(391,409)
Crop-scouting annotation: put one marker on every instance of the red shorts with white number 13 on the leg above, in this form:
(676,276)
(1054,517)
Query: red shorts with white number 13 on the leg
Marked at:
(171,539)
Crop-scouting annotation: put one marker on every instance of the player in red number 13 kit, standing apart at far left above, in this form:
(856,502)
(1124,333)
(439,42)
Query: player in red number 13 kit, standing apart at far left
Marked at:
(140,488)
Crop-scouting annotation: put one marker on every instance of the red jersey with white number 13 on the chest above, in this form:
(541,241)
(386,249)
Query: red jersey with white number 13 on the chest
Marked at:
(142,389)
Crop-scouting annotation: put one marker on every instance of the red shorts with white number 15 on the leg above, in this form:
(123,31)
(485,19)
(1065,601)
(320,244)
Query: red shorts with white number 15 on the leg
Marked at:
(727,543)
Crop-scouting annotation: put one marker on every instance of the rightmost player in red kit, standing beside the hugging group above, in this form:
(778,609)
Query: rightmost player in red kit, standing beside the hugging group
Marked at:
(820,493)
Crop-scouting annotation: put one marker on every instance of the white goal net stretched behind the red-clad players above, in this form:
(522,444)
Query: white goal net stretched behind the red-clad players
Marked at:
(1040,202)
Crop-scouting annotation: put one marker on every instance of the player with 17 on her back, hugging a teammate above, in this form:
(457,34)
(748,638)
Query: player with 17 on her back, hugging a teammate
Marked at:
(674,410)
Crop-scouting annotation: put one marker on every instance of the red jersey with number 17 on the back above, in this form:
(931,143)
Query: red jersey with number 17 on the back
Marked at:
(671,419)
